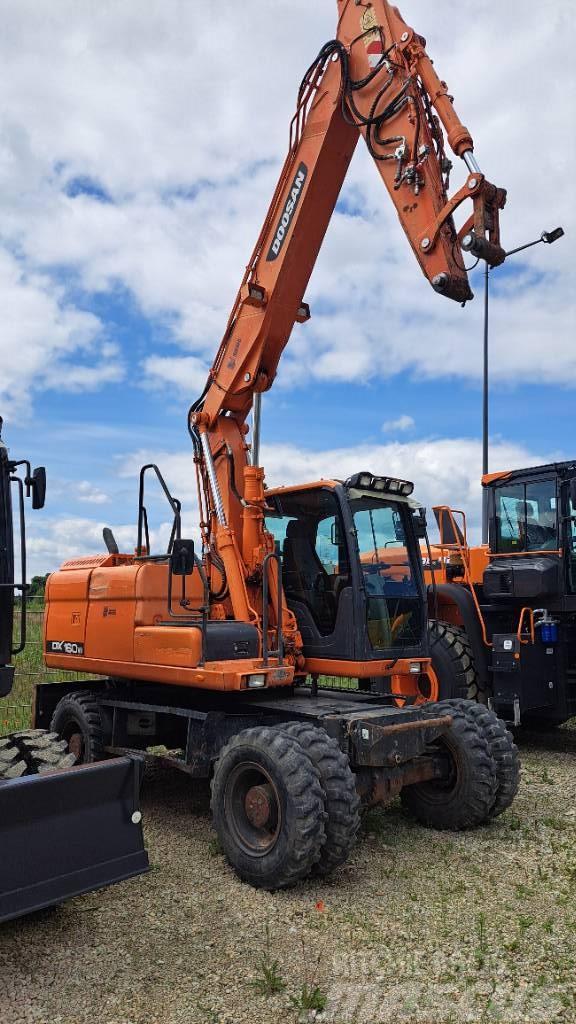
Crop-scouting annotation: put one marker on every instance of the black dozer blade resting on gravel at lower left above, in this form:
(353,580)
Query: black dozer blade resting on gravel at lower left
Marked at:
(69,833)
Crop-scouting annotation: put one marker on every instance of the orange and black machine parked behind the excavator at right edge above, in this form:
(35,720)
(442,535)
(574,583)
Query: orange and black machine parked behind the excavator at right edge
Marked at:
(512,604)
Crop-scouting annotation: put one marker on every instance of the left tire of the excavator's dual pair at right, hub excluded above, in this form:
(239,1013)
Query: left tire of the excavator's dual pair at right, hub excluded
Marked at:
(469,802)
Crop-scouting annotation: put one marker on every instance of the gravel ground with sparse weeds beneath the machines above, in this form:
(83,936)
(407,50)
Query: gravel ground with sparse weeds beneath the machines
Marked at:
(420,927)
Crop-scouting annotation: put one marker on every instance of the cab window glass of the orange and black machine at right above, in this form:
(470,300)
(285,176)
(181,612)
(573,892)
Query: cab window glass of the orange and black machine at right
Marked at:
(527,518)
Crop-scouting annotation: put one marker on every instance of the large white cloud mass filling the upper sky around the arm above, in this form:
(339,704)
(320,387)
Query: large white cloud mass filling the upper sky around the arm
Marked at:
(158,106)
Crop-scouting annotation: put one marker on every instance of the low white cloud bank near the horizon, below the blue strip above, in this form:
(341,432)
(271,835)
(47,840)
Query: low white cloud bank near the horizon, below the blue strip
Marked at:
(445,472)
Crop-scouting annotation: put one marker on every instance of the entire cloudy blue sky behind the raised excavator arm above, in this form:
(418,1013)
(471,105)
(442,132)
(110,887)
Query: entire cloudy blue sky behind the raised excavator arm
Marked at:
(136,170)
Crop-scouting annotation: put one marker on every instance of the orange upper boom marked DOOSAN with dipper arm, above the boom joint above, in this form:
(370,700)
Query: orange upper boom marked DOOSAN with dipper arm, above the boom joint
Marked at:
(376,80)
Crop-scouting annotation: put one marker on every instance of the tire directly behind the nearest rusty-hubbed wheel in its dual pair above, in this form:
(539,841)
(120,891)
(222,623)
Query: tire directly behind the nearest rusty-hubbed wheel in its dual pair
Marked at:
(341,796)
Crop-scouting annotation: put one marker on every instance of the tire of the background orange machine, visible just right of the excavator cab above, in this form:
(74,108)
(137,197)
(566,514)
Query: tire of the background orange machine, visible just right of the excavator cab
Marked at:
(454,663)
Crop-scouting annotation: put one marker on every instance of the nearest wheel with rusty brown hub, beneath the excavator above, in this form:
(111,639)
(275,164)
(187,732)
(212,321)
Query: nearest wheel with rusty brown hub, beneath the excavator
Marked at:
(268,808)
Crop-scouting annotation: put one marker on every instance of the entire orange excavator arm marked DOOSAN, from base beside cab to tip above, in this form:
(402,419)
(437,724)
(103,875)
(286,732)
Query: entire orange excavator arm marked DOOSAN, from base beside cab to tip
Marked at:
(374,80)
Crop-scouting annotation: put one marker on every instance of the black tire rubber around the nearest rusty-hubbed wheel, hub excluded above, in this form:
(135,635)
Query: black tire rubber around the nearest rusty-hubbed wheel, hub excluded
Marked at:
(303,831)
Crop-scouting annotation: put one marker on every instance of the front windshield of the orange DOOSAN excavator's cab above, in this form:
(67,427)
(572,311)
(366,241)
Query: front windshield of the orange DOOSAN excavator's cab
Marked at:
(394,602)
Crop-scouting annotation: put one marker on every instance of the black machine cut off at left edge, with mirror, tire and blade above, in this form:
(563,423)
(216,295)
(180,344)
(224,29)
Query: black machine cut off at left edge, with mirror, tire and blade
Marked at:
(65,830)
